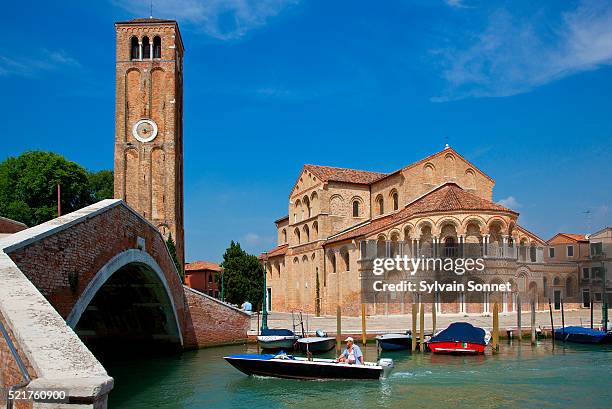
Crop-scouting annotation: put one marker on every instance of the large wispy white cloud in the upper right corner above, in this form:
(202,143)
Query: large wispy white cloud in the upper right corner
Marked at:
(515,54)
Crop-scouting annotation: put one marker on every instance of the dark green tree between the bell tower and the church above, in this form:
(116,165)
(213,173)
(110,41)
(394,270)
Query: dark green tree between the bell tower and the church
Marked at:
(243,276)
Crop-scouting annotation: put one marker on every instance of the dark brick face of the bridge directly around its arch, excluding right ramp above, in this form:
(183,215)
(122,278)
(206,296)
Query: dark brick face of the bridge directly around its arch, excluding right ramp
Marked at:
(83,249)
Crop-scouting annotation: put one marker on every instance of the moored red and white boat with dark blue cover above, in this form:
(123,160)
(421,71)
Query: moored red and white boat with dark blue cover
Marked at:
(460,338)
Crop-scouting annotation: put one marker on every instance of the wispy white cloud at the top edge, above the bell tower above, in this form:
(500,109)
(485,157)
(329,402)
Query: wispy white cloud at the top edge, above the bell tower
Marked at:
(222,19)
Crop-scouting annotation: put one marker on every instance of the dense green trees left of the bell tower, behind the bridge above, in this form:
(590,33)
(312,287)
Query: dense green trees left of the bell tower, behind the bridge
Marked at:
(28,186)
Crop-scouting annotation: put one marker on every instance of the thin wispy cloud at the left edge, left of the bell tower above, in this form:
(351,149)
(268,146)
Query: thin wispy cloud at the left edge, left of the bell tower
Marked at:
(30,65)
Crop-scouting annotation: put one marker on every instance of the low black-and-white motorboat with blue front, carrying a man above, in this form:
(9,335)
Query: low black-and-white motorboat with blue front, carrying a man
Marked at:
(288,366)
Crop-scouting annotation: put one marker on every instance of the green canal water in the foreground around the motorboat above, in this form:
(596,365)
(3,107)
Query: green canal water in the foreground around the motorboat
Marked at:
(520,376)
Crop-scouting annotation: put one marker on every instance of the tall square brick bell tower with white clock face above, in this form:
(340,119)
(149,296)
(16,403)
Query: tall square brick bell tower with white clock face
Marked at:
(149,123)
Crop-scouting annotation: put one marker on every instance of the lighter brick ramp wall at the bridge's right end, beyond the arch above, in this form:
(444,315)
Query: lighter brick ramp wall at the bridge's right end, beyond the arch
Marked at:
(210,322)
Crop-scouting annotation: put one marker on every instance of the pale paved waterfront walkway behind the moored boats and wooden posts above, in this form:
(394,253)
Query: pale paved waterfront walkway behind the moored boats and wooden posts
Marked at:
(380,324)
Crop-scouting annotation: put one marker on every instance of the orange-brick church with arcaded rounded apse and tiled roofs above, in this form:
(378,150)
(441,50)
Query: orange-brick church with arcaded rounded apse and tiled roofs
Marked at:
(434,206)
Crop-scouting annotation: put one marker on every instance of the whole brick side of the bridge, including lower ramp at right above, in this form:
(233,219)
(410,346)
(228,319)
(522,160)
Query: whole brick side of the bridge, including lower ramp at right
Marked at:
(85,247)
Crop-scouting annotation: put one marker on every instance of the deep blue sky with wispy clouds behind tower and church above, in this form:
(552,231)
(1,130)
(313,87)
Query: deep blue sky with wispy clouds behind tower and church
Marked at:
(521,89)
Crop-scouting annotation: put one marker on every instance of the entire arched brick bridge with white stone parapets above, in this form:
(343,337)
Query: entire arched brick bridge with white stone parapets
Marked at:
(98,276)
